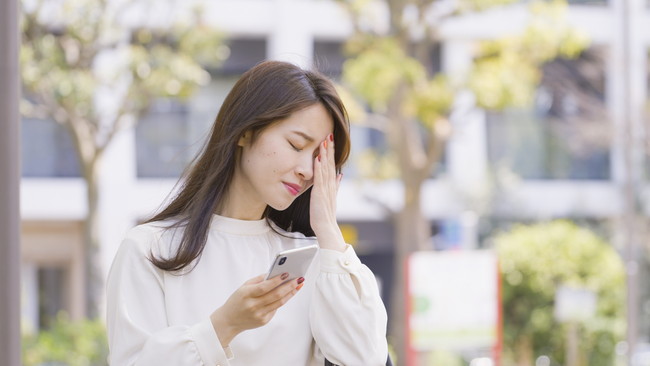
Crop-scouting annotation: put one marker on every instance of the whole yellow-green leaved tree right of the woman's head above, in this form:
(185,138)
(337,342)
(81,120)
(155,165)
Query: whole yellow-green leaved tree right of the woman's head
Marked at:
(390,71)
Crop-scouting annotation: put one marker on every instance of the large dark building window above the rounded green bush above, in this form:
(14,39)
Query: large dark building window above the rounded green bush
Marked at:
(566,134)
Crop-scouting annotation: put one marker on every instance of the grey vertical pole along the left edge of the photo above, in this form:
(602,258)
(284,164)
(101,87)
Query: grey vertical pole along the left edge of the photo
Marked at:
(9,186)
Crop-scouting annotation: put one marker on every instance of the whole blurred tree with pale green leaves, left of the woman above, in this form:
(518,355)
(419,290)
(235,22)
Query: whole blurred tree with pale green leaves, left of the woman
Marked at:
(77,55)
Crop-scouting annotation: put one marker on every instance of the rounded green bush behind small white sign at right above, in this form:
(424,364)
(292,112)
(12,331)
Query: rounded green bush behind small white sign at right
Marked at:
(535,260)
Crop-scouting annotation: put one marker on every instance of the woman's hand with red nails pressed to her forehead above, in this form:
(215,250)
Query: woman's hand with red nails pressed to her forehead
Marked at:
(322,208)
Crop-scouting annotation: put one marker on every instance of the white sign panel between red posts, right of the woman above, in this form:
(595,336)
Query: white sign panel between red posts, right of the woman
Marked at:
(454,300)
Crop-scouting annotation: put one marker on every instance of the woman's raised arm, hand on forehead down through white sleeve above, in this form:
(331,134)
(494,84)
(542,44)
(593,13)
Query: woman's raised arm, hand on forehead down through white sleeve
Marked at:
(347,315)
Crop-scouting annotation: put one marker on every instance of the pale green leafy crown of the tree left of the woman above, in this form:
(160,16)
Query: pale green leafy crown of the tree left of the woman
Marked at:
(72,49)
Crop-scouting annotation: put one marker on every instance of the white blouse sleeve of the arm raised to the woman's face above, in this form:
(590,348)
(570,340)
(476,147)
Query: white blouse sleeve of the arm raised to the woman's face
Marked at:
(347,315)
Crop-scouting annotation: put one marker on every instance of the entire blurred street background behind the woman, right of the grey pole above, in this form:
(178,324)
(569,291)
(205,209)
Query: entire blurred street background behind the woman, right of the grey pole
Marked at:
(497,185)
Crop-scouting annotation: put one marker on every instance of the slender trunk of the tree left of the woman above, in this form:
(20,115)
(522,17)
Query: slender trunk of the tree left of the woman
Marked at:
(93,280)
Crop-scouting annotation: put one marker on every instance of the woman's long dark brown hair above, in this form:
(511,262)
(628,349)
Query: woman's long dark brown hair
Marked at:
(267,93)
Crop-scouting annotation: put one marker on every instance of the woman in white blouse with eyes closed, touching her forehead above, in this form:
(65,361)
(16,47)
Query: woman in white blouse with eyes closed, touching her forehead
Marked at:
(188,287)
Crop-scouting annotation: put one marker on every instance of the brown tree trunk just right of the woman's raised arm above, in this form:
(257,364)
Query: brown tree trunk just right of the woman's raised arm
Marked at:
(412,234)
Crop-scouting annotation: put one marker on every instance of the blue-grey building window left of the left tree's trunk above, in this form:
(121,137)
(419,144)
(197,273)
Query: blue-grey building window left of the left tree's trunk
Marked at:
(47,150)
